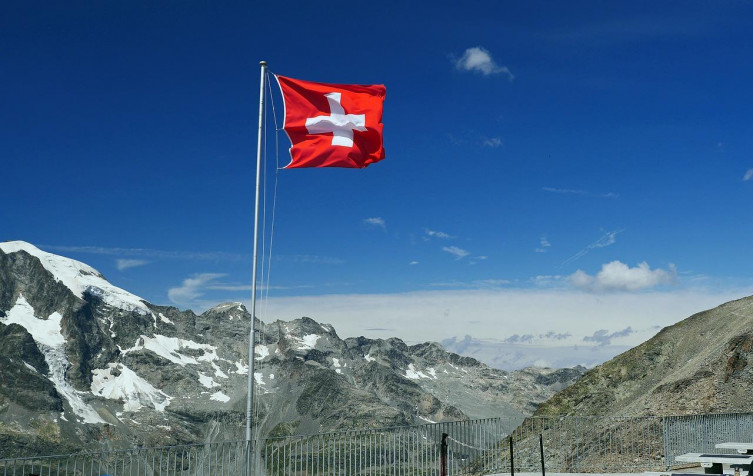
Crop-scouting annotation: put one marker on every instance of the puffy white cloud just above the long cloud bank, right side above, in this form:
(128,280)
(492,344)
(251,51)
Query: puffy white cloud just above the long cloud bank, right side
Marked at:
(617,276)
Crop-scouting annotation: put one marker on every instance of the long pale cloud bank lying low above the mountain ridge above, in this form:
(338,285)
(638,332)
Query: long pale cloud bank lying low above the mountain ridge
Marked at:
(499,312)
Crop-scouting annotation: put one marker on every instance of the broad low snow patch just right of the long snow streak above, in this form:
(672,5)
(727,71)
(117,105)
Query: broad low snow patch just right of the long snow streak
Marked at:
(129,387)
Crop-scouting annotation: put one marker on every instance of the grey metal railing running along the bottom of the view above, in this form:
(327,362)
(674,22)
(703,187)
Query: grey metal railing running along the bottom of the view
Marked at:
(571,444)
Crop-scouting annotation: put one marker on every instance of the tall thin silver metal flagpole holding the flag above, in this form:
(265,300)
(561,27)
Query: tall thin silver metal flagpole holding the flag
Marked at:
(251,336)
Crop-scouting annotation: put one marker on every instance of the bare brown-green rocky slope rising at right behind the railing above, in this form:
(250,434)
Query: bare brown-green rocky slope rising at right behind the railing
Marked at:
(699,365)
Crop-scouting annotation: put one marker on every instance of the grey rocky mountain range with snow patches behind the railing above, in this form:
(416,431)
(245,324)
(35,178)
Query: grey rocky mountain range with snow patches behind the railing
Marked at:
(84,363)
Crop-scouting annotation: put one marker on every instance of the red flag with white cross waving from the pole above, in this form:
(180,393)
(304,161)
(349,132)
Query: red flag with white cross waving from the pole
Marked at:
(332,125)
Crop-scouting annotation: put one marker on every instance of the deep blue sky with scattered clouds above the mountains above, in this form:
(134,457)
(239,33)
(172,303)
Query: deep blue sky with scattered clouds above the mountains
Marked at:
(537,152)
